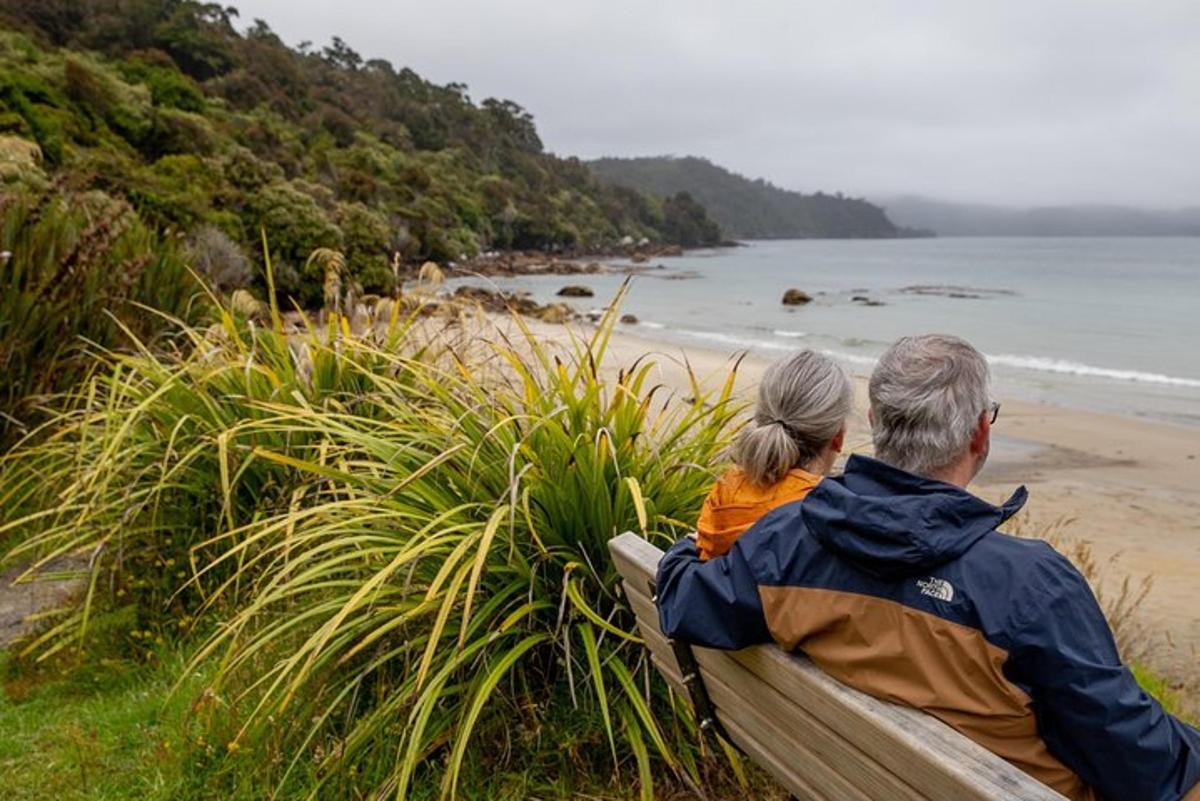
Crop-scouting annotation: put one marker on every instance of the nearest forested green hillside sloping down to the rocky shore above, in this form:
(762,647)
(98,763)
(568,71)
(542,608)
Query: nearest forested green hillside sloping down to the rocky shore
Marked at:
(215,134)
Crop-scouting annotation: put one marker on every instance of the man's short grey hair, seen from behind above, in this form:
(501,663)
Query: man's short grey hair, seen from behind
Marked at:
(927,395)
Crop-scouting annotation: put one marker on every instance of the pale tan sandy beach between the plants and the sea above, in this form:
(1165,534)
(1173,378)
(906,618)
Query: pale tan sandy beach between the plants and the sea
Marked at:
(1127,487)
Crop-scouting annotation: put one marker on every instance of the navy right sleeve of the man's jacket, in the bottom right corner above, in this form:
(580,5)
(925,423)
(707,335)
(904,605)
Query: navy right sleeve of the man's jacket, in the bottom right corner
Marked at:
(1090,709)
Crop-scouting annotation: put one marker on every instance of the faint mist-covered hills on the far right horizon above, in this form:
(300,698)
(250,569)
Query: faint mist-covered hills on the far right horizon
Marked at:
(949,219)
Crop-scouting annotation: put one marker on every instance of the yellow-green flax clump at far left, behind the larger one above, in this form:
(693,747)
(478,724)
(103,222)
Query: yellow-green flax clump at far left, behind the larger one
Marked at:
(155,453)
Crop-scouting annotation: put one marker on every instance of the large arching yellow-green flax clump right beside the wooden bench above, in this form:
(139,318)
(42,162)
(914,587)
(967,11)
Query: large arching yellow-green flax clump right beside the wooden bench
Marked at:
(455,569)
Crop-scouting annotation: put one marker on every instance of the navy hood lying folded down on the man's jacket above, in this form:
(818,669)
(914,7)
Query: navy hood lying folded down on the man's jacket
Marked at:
(893,525)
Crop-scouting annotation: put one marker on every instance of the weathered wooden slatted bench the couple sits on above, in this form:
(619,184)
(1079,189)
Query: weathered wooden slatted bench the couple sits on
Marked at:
(820,739)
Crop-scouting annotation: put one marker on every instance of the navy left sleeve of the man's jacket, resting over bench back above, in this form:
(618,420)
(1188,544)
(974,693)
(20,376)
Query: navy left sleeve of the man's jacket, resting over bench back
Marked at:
(713,604)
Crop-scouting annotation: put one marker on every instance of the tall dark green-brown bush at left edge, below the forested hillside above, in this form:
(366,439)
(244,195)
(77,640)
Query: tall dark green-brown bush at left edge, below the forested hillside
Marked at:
(79,266)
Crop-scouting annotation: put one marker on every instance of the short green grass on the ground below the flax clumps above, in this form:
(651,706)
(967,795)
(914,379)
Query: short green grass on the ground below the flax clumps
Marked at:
(116,730)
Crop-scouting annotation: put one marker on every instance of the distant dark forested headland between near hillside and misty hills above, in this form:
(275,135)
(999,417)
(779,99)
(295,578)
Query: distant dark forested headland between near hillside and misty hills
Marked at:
(751,209)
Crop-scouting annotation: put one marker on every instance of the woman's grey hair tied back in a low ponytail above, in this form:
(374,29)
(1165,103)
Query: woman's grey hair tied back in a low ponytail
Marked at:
(803,403)
